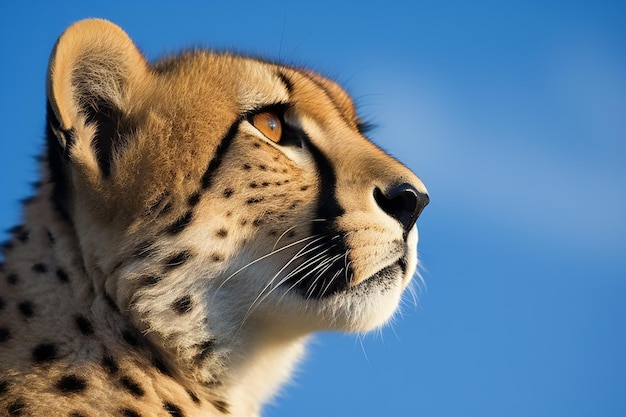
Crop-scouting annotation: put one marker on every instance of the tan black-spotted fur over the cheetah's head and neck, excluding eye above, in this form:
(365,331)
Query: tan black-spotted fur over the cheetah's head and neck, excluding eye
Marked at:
(156,286)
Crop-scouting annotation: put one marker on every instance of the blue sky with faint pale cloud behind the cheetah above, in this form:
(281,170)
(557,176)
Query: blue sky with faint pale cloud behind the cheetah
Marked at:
(512,113)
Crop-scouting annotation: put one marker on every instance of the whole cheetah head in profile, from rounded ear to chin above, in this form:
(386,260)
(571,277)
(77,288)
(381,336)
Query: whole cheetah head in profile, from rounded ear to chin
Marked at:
(228,190)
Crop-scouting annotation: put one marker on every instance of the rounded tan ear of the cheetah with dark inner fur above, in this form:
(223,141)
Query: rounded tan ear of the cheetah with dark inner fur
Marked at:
(94,71)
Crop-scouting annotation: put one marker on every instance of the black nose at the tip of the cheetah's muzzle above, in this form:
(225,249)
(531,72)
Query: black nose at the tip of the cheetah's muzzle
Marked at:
(403,202)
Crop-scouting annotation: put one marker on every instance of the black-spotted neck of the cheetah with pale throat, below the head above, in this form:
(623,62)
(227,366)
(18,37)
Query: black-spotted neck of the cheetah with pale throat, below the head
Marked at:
(48,285)
